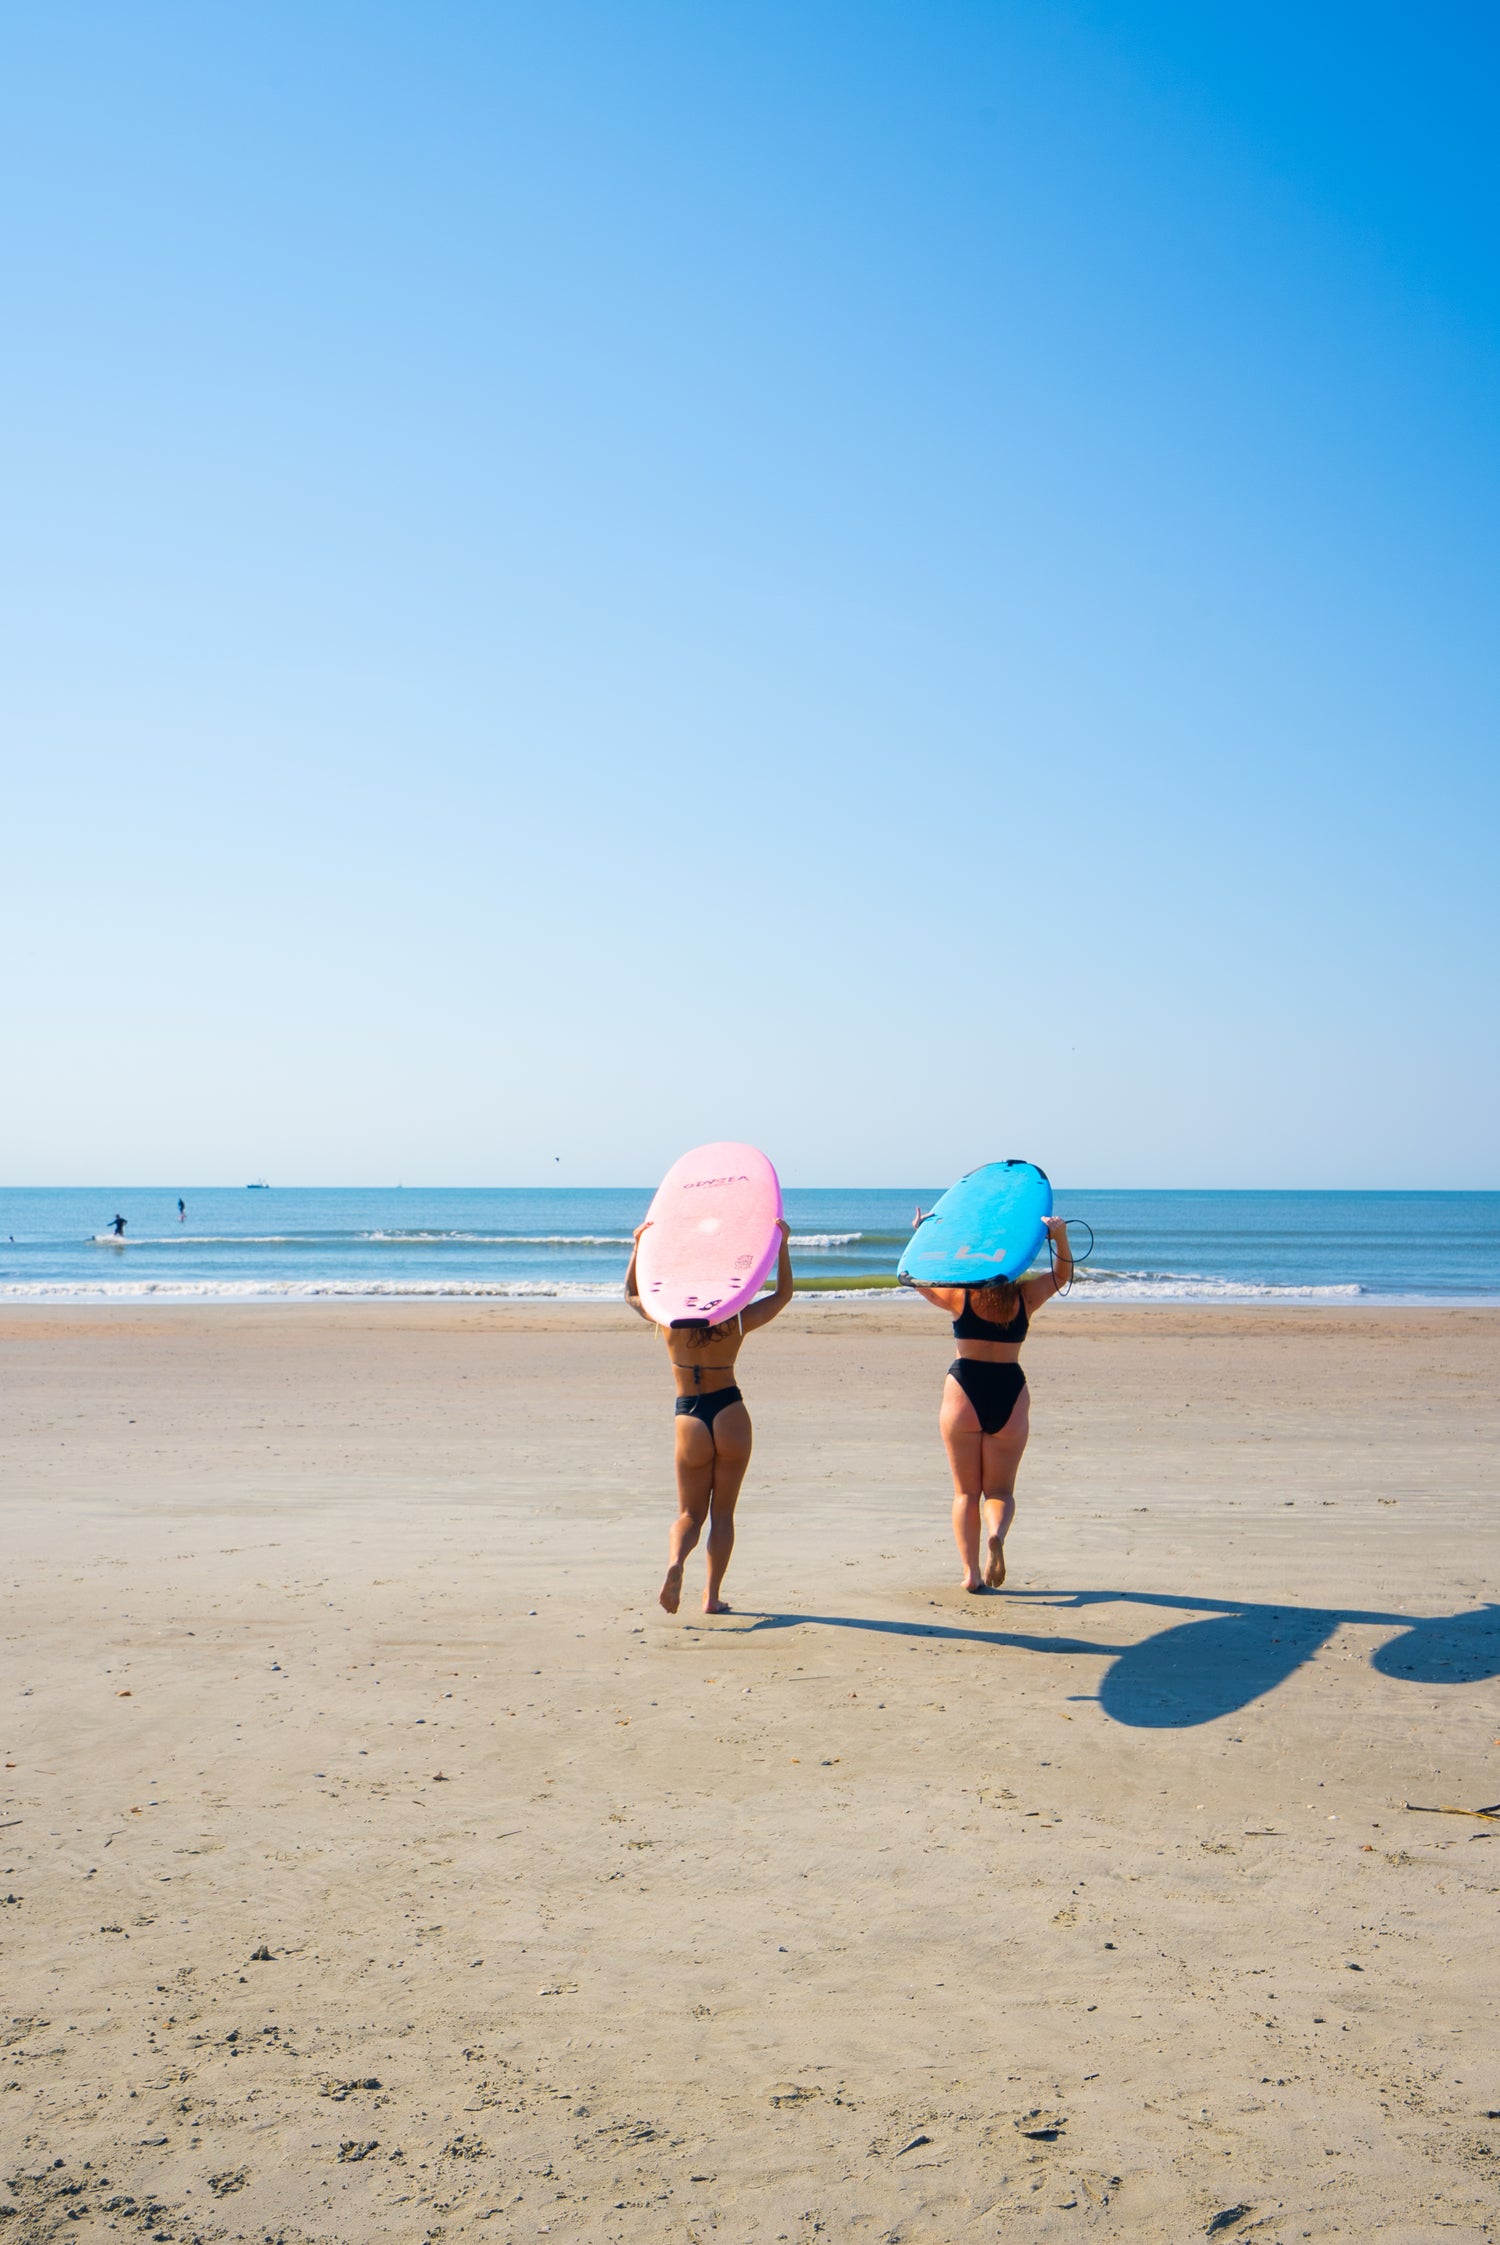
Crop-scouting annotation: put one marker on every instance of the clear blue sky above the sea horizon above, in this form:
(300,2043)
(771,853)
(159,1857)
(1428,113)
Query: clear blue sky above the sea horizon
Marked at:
(899,583)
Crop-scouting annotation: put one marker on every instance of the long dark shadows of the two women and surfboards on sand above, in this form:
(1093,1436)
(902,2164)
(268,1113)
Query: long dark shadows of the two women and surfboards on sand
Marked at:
(1216,1665)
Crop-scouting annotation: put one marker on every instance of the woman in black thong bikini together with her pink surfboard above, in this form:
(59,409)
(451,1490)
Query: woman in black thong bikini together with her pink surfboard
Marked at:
(697,1270)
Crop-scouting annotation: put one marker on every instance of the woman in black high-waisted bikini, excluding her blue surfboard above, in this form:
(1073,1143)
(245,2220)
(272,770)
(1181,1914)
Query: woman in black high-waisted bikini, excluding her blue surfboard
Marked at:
(985,1415)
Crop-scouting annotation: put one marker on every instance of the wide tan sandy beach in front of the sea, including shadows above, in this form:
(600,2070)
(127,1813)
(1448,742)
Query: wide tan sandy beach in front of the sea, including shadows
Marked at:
(378,1862)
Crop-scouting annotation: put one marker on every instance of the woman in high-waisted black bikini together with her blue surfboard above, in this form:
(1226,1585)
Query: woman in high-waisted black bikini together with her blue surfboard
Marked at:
(969,1261)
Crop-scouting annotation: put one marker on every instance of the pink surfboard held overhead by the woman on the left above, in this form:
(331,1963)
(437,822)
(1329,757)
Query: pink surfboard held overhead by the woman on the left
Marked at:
(713,1236)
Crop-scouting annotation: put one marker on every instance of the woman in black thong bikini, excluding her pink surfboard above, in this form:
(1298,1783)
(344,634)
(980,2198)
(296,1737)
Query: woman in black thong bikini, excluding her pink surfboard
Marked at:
(713,1429)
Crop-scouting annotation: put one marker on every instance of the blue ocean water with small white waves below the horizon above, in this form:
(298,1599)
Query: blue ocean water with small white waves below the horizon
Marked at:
(289,1243)
